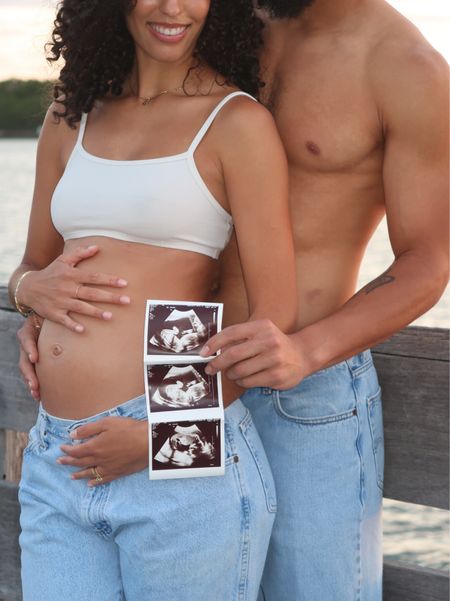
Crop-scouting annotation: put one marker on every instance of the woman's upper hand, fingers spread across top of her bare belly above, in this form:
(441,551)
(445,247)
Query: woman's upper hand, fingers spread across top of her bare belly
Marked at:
(62,287)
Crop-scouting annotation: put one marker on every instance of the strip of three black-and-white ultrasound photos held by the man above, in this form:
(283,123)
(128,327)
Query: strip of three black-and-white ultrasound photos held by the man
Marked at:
(184,403)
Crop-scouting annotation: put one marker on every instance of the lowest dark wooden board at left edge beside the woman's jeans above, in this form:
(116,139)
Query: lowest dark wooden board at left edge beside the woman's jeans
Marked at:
(9,534)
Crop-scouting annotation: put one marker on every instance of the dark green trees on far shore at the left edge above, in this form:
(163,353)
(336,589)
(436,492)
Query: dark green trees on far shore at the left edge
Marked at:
(23,104)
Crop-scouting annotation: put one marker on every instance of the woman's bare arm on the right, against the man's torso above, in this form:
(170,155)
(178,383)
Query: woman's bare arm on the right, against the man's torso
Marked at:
(256,180)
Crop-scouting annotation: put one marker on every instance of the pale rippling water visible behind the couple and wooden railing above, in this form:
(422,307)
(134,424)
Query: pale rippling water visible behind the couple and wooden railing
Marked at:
(413,533)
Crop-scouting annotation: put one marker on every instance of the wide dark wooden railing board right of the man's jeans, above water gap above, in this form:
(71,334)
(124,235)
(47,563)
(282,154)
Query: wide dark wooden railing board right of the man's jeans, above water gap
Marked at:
(416,429)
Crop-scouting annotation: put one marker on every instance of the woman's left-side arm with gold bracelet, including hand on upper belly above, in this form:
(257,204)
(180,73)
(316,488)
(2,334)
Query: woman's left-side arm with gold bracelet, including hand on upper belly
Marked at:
(51,287)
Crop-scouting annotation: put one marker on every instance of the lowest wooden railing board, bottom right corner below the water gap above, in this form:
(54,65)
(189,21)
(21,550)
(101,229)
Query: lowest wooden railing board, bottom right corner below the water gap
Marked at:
(404,582)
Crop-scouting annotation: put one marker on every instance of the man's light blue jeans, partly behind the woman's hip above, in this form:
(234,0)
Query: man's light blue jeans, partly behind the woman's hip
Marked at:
(324,441)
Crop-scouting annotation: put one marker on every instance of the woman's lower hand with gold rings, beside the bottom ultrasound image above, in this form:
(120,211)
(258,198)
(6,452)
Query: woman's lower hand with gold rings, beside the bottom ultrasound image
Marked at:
(115,446)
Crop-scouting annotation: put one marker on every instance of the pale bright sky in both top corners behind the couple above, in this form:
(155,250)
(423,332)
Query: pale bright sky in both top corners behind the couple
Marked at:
(25,26)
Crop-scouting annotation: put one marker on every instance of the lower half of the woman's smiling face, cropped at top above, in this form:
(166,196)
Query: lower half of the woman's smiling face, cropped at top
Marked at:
(167,30)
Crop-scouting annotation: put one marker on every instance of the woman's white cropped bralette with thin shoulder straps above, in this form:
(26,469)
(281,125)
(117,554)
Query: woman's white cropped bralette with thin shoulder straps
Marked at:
(162,202)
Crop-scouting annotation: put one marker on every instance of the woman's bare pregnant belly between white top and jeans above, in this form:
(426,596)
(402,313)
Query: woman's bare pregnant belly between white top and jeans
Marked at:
(83,374)
